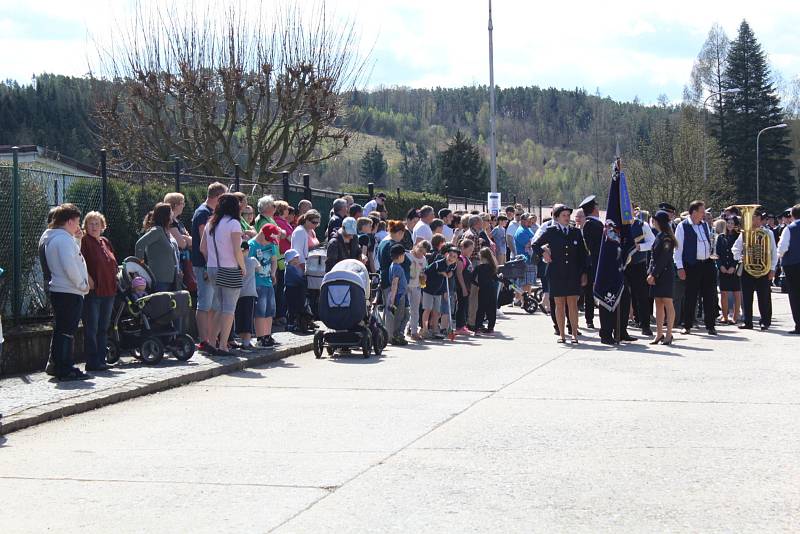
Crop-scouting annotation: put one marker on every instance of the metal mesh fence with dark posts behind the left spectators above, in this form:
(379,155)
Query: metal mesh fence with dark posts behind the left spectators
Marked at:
(123,196)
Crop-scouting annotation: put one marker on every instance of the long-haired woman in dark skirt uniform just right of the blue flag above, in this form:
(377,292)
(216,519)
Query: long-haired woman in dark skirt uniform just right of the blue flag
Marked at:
(661,276)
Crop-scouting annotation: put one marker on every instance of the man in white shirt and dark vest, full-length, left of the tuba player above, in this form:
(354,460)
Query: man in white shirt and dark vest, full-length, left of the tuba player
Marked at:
(693,260)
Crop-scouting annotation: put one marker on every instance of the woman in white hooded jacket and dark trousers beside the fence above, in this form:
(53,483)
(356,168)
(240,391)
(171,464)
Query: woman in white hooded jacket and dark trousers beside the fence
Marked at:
(68,282)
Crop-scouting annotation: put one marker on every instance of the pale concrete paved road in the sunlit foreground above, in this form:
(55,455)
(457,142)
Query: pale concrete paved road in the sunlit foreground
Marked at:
(514,433)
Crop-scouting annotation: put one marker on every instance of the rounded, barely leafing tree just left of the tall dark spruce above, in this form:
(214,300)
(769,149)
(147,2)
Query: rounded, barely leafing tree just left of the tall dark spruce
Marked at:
(669,167)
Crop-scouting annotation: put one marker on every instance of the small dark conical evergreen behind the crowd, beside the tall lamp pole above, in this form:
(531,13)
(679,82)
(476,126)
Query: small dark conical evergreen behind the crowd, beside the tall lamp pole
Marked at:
(461,167)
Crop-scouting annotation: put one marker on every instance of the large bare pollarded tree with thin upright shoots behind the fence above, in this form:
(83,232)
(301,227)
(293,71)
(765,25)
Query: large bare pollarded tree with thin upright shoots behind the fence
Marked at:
(219,87)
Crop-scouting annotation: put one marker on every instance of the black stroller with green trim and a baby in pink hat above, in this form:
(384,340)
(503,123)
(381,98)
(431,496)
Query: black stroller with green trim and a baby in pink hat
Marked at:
(149,326)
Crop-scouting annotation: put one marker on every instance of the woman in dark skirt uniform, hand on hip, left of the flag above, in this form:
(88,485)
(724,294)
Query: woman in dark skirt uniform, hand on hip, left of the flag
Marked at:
(568,268)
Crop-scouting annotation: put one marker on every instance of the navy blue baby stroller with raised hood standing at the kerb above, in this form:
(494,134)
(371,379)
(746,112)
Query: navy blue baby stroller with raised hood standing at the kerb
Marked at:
(348,314)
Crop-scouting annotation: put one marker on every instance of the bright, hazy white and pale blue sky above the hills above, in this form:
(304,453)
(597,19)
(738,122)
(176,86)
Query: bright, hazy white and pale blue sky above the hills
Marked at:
(624,49)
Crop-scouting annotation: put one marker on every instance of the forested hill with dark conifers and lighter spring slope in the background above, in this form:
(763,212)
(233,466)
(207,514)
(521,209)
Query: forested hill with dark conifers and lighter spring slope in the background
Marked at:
(551,143)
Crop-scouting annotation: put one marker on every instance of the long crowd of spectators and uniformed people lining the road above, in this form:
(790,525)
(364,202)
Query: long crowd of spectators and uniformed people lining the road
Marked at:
(440,271)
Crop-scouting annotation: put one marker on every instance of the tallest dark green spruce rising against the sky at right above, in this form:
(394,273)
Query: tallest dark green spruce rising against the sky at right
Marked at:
(753,108)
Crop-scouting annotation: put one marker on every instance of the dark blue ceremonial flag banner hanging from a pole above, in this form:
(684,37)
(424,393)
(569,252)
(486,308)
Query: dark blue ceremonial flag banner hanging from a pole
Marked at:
(617,245)
